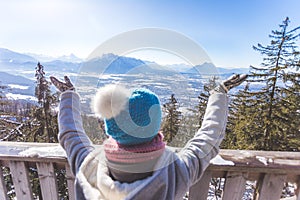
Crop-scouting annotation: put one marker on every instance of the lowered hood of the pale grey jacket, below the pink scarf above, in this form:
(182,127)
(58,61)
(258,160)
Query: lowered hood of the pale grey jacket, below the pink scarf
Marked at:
(96,183)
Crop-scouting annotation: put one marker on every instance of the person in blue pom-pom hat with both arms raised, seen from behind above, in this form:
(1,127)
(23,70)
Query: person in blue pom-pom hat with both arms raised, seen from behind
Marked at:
(134,162)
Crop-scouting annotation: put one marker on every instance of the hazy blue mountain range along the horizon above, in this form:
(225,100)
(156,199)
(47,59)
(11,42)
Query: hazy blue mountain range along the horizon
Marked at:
(107,63)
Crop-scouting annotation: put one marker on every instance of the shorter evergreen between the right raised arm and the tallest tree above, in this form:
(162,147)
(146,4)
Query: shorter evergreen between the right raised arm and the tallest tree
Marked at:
(243,121)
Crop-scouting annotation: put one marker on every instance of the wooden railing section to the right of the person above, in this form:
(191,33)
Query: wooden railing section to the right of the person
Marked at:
(268,171)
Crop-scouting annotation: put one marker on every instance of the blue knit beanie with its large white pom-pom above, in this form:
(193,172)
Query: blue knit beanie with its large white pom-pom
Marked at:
(131,116)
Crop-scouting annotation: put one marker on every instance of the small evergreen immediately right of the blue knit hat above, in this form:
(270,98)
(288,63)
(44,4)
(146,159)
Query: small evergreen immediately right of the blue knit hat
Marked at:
(171,122)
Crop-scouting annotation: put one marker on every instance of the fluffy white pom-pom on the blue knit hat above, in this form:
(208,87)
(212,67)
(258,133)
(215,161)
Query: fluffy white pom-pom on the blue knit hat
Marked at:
(110,101)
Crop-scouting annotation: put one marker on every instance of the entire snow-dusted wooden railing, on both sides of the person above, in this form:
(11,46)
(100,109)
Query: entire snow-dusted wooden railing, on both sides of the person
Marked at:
(267,171)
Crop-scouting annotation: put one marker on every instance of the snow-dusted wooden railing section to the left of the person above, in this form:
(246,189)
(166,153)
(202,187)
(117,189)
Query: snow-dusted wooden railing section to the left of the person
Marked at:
(45,158)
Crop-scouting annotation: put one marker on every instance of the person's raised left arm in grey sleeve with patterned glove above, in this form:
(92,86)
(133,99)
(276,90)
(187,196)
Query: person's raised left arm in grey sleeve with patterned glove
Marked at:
(71,136)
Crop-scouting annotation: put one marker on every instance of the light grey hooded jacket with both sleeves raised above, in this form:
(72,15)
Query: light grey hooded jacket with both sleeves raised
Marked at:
(174,172)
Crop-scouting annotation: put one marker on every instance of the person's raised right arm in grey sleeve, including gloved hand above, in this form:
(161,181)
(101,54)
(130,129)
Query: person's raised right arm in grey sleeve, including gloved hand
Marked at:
(205,144)
